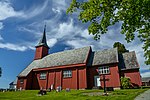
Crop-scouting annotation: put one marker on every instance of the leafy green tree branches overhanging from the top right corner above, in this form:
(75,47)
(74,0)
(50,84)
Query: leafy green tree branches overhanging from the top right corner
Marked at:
(134,16)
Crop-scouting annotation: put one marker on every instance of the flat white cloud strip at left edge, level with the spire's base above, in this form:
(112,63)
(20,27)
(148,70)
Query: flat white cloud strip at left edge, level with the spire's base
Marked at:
(14,47)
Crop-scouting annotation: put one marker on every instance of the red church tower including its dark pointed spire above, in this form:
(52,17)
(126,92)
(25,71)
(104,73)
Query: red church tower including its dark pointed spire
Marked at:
(42,47)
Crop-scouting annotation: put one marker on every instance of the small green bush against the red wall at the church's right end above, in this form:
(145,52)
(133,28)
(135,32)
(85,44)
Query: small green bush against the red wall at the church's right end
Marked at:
(125,82)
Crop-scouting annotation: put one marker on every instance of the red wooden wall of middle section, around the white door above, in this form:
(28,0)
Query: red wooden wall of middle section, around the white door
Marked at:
(113,77)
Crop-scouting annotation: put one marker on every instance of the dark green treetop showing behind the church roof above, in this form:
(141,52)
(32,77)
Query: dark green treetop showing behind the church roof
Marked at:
(121,47)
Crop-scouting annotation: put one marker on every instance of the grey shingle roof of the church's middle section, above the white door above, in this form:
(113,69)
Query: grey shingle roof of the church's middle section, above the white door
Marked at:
(105,57)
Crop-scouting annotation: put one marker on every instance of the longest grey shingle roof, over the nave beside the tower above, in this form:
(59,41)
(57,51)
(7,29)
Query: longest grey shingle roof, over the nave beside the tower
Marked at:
(68,57)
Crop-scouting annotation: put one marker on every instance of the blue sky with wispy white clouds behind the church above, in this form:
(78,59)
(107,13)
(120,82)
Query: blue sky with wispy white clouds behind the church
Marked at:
(21,26)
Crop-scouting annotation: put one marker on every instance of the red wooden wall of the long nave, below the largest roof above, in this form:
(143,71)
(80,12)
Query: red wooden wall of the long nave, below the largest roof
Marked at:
(55,77)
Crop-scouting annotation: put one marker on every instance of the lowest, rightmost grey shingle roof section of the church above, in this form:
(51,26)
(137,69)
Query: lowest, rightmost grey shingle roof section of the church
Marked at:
(128,60)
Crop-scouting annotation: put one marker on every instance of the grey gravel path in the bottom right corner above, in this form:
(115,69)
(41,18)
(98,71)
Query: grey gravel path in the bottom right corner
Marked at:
(144,96)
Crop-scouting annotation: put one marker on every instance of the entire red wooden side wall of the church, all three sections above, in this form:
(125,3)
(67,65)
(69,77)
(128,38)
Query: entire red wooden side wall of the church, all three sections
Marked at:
(82,78)
